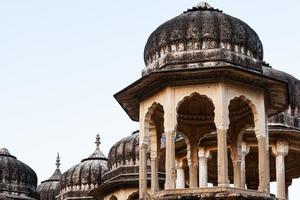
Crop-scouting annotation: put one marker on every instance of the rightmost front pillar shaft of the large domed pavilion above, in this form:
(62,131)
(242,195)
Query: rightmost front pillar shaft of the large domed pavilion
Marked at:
(263,165)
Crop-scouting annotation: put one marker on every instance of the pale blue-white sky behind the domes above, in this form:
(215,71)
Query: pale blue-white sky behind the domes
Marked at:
(61,61)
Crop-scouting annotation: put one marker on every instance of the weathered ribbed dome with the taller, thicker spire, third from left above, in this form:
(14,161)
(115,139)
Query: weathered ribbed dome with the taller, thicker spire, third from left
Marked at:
(87,175)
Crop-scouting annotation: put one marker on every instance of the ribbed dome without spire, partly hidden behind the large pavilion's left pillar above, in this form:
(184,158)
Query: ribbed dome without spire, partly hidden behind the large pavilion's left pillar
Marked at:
(124,152)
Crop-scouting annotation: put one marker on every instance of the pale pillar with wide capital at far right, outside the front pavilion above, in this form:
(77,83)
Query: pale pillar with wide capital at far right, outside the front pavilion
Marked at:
(280,151)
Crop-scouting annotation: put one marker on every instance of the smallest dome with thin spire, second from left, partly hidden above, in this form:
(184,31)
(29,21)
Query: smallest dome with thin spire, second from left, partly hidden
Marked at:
(49,188)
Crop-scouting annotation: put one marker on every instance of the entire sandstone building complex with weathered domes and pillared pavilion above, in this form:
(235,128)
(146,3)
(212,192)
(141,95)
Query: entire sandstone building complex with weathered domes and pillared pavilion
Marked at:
(216,123)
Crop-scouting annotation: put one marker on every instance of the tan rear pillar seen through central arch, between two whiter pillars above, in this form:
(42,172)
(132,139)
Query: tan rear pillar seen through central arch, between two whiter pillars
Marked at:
(193,166)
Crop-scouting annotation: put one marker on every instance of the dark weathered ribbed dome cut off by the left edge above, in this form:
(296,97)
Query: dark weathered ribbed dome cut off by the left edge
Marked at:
(16,178)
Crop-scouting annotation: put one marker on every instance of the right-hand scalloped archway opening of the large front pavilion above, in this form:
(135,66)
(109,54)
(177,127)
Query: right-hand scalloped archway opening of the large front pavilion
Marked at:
(241,117)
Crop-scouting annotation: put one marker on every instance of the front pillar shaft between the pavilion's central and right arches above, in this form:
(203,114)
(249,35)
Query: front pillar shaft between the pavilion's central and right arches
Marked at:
(222,158)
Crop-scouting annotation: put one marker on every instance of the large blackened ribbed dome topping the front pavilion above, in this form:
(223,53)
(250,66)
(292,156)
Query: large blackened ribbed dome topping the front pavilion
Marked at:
(202,34)
